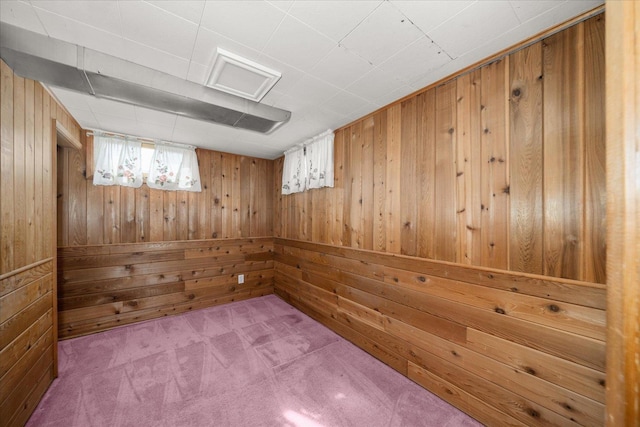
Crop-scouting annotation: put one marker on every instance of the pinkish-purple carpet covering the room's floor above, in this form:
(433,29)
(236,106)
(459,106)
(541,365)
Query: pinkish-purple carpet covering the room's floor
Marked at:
(258,362)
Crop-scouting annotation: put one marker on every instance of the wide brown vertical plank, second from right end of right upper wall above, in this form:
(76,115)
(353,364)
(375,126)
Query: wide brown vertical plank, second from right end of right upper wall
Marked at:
(563,152)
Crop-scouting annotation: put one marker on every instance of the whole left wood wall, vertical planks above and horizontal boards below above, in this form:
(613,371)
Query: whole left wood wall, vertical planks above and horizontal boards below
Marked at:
(27,267)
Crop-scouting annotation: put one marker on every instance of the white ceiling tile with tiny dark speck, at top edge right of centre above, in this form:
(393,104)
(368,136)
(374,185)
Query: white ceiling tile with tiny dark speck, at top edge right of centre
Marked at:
(468,29)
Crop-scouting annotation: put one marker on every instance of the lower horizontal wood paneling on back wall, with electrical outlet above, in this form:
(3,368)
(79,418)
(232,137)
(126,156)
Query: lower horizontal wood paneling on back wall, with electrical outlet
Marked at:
(103,286)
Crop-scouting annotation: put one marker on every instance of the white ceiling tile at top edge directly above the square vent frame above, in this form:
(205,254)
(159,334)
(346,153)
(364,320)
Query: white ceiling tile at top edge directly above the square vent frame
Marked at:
(250,23)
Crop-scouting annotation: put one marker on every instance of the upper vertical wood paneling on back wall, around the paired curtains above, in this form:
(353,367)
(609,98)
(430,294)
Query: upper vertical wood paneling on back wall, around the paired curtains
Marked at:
(233,203)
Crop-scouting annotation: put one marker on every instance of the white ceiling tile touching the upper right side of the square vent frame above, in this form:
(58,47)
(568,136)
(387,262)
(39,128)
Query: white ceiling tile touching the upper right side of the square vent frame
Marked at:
(298,45)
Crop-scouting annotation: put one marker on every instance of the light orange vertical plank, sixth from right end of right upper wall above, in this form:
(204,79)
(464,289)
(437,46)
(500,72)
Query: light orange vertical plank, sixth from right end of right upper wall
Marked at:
(445,173)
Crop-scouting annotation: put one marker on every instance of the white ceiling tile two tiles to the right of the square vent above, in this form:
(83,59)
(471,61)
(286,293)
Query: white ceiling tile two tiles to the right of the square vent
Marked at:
(341,67)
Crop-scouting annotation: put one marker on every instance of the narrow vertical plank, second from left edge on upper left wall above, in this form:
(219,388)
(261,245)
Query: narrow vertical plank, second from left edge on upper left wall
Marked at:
(19,173)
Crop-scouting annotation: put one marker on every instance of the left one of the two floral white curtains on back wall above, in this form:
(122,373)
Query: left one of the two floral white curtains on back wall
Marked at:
(117,161)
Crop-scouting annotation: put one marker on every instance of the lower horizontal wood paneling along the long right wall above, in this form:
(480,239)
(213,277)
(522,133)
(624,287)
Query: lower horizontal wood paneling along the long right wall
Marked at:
(518,355)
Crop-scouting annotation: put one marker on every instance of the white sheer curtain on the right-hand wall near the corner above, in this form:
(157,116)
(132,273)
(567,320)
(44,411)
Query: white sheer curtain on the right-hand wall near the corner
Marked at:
(309,165)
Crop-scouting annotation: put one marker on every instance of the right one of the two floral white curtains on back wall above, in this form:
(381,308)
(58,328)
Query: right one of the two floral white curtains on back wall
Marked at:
(174,168)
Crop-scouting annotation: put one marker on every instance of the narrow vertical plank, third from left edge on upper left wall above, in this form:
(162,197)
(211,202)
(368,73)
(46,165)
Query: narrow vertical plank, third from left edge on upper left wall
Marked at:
(30,155)
